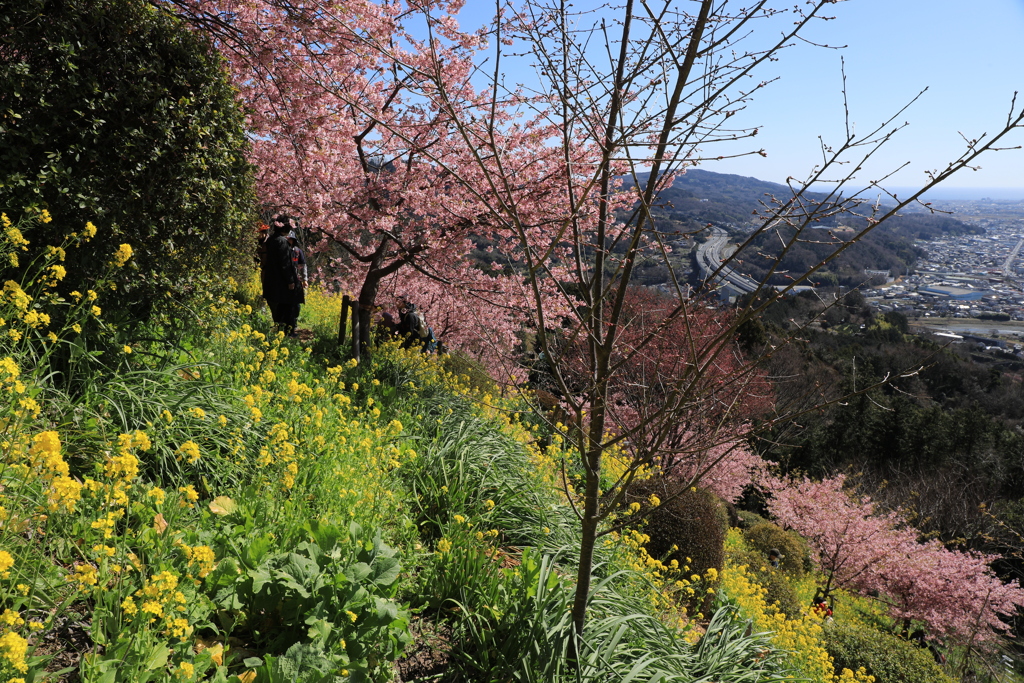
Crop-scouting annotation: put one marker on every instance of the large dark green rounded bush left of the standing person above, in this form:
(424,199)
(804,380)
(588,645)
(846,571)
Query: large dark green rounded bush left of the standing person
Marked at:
(113,112)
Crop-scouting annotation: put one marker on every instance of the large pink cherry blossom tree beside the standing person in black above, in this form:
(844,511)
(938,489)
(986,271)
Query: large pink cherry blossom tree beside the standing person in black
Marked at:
(347,135)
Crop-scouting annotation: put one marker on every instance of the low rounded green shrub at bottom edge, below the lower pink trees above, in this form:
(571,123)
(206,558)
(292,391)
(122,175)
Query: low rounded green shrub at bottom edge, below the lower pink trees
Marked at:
(887,658)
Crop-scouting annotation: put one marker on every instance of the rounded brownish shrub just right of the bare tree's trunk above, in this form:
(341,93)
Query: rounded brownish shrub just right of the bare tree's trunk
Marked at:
(690,524)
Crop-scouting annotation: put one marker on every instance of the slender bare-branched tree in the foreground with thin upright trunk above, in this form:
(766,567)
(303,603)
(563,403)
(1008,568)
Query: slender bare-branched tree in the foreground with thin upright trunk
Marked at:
(639,91)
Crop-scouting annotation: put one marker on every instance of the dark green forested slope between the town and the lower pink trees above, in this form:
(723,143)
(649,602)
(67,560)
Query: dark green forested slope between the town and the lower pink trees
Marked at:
(940,438)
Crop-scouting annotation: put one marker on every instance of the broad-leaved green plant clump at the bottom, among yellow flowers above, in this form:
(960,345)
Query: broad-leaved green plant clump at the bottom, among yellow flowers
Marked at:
(330,600)
